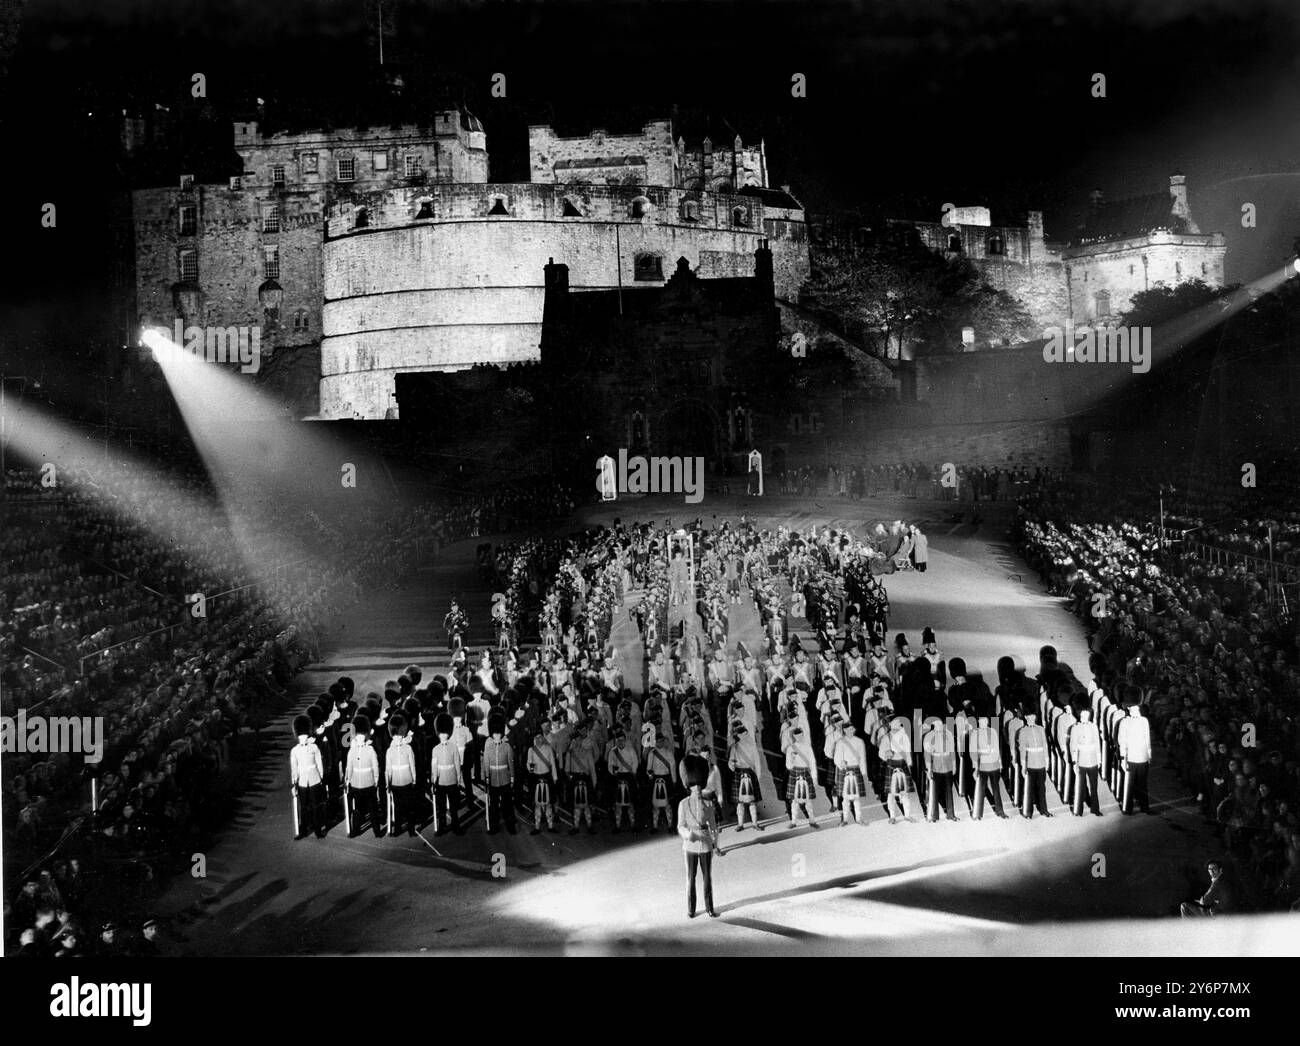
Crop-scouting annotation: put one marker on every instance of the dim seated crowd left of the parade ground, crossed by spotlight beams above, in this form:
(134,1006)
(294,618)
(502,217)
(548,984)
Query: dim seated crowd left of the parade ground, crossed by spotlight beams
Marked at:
(94,622)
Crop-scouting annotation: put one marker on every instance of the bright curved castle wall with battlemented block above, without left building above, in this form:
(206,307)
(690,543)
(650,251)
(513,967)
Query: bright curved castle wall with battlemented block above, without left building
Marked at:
(445,276)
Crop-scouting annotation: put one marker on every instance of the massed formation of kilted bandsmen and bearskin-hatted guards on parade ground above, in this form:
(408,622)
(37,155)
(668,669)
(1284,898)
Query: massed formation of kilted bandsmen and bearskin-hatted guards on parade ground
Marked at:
(556,733)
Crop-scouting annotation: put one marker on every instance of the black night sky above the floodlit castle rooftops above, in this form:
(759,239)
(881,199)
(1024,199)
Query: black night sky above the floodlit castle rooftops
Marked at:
(909,102)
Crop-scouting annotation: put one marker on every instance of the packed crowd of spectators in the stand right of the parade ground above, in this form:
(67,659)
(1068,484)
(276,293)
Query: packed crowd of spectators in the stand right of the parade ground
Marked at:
(1211,646)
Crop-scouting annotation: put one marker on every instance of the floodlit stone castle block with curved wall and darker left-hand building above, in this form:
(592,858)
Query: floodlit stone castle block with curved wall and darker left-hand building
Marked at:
(366,254)
